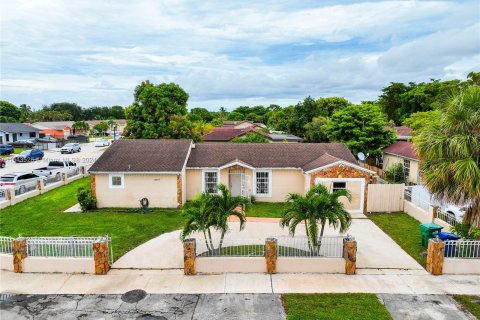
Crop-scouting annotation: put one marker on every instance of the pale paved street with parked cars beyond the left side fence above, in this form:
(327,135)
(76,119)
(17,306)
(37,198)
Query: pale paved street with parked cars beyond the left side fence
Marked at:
(86,157)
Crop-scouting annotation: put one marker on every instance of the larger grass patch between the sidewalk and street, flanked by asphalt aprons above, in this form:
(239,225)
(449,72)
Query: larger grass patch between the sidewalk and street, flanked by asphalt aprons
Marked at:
(334,306)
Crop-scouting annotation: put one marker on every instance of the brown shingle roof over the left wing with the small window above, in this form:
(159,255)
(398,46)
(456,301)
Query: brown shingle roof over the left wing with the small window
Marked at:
(143,156)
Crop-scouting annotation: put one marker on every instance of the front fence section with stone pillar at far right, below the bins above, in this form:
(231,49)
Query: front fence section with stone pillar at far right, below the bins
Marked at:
(453,257)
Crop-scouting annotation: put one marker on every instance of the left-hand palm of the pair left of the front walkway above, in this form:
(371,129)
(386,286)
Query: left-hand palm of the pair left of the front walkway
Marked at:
(199,214)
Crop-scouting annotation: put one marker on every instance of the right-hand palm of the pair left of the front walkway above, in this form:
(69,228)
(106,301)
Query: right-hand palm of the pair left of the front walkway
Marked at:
(225,206)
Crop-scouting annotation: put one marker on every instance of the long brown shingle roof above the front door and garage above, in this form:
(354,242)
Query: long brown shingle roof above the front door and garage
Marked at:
(267,155)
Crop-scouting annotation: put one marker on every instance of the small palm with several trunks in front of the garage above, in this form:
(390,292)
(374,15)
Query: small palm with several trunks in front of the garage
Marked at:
(318,206)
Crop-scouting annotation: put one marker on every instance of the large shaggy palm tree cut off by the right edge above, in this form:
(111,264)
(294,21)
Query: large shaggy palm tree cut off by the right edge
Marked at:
(449,152)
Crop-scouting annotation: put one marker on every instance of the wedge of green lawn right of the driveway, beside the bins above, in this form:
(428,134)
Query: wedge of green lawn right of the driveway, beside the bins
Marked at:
(404,230)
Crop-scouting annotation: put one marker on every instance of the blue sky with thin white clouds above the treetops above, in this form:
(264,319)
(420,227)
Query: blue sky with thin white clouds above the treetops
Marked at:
(230,53)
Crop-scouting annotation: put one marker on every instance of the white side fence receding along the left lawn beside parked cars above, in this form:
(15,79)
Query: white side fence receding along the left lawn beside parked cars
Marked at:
(13,195)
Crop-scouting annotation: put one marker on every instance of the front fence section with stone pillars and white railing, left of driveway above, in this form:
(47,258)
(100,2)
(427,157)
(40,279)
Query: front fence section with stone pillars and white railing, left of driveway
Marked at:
(56,254)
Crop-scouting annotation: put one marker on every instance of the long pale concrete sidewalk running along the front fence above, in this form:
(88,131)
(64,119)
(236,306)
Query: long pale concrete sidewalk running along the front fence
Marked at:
(121,281)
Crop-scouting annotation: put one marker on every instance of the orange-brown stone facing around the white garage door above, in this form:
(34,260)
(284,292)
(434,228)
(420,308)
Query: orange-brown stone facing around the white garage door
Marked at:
(343,171)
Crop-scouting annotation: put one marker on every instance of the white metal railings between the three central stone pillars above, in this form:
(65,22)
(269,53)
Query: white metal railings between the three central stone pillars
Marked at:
(329,246)
